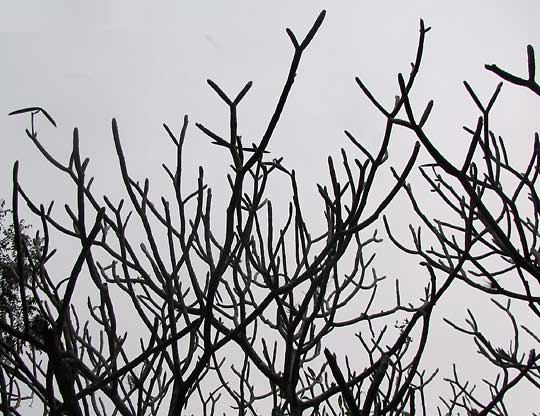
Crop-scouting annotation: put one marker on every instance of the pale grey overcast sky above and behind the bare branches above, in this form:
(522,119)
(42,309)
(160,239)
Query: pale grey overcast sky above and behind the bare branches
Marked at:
(146,63)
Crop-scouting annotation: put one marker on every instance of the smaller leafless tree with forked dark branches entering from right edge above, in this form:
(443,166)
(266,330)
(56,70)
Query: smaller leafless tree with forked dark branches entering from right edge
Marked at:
(489,240)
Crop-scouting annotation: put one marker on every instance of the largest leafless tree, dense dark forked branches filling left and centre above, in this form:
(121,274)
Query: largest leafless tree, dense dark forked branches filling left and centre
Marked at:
(243,316)
